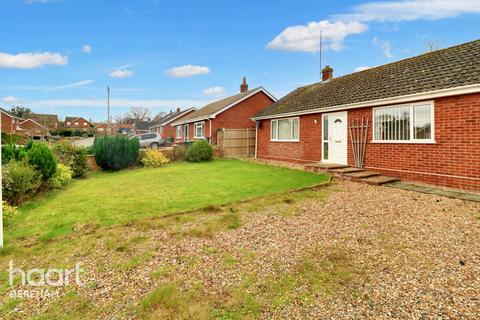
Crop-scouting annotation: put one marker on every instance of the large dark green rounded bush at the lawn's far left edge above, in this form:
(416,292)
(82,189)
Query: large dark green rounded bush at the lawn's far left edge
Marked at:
(115,152)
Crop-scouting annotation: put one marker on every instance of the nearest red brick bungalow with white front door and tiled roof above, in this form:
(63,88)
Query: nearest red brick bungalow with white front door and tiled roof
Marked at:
(423,113)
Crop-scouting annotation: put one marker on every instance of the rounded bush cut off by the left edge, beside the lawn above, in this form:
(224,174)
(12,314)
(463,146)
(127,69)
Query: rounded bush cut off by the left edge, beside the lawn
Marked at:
(19,181)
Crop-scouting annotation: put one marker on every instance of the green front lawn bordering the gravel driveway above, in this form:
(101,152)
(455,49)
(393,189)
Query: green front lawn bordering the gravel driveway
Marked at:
(106,199)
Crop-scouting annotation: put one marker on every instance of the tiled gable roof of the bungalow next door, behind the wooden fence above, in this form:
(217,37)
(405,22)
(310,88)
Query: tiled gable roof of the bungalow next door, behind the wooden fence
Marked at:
(218,106)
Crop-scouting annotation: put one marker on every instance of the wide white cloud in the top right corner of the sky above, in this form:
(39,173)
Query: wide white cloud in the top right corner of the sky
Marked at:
(410,10)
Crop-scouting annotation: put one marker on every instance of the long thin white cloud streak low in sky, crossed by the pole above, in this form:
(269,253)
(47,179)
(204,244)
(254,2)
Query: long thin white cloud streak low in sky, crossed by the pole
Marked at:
(153,103)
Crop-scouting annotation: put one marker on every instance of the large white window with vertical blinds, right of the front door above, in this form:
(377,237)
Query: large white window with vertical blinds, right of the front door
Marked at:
(410,123)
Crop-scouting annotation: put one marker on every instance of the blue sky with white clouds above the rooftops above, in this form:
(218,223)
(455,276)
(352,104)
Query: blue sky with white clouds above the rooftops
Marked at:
(58,56)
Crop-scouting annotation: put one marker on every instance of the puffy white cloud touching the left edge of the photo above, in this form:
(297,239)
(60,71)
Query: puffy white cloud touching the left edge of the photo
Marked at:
(31,60)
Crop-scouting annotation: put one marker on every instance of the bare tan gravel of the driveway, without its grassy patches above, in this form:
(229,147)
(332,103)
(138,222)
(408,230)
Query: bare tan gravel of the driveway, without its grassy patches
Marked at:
(393,254)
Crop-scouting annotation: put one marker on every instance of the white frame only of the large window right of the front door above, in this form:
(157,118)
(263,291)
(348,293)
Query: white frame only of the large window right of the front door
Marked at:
(412,139)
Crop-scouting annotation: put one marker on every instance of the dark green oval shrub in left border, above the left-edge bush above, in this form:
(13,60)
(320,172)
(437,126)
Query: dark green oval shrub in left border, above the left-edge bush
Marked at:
(41,158)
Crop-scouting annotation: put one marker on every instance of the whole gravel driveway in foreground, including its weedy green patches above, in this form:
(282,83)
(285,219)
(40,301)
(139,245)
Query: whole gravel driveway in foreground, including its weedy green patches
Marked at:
(347,251)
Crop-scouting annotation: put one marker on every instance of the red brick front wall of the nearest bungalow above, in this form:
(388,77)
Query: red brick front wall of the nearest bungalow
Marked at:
(453,161)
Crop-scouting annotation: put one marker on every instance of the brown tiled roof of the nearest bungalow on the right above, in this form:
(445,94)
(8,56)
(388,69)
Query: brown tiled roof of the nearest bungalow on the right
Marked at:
(449,68)
